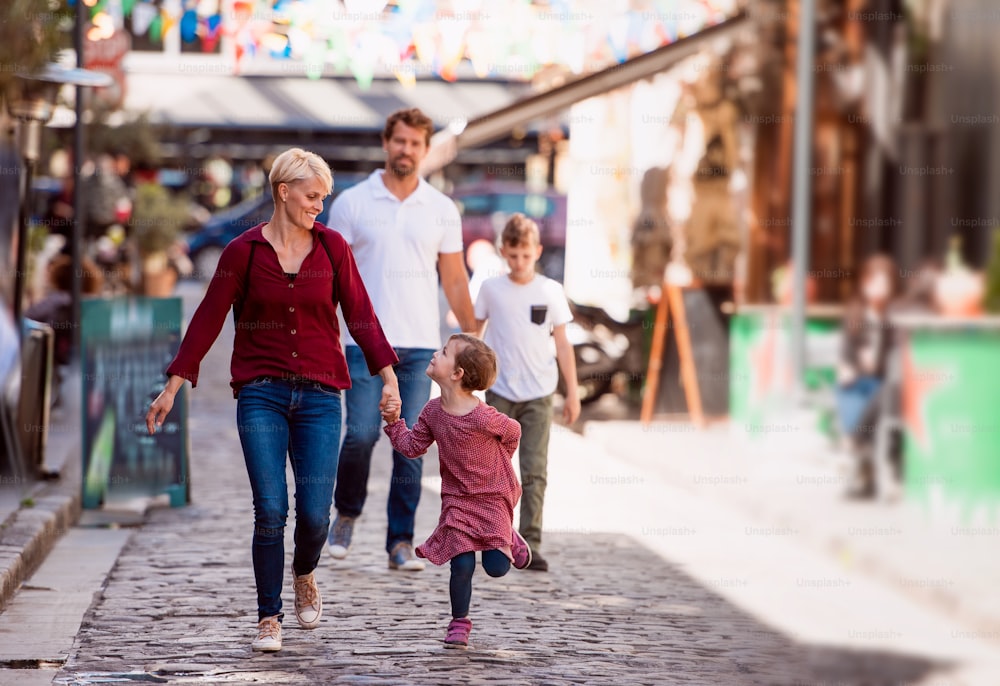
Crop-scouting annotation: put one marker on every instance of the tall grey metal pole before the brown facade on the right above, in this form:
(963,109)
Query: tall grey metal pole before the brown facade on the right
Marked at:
(802,185)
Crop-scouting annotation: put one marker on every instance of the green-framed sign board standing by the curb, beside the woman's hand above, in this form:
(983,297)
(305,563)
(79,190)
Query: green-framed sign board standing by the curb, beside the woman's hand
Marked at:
(126,343)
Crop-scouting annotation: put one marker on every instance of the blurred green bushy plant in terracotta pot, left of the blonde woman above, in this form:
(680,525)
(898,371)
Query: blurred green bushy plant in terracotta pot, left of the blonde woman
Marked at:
(157,222)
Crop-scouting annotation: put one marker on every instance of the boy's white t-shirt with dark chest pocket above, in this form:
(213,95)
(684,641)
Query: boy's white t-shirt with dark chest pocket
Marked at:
(520,321)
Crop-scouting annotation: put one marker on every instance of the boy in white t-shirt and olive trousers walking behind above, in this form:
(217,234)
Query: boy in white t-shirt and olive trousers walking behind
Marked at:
(526,311)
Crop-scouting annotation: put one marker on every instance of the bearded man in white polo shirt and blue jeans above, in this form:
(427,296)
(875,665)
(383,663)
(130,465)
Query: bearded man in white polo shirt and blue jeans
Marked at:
(403,232)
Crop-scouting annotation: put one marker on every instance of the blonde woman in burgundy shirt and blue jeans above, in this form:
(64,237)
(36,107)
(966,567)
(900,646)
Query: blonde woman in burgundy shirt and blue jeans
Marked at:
(284,280)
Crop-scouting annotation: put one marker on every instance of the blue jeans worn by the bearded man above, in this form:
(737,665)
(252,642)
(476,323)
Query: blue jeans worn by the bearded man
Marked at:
(364,428)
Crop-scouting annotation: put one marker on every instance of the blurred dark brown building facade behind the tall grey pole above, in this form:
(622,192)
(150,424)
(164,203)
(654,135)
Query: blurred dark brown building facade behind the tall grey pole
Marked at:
(905,141)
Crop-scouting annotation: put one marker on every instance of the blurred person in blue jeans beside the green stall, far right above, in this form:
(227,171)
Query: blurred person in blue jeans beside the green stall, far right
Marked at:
(861,371)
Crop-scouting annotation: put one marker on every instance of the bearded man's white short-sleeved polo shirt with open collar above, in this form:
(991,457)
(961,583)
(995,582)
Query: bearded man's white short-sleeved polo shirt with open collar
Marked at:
(396,245)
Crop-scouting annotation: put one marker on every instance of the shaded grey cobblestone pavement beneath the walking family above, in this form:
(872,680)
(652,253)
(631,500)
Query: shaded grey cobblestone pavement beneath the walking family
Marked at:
(179,606)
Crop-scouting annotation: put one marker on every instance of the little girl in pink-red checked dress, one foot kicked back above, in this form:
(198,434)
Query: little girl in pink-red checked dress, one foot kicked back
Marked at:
(478,486)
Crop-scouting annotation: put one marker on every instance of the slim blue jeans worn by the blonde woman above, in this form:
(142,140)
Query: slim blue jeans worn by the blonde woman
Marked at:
(276,419)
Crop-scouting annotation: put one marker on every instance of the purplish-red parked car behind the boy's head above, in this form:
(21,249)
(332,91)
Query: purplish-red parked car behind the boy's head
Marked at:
(486,207)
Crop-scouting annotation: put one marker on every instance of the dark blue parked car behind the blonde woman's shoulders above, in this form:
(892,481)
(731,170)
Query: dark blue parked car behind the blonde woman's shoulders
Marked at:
(205,245)
